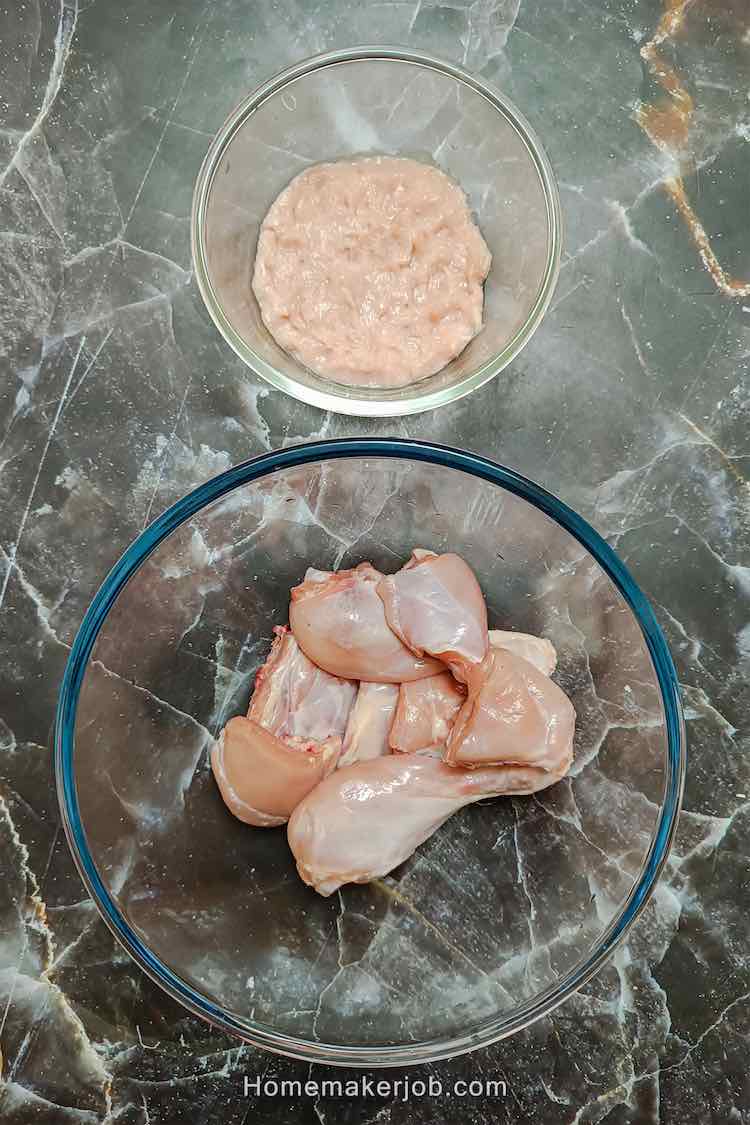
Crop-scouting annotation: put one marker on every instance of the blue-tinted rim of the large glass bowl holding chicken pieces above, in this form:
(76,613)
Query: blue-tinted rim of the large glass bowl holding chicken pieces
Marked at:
(489,1031)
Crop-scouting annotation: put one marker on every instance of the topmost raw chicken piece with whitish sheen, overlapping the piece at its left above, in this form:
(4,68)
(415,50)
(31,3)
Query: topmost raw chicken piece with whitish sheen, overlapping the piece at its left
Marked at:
(436,606)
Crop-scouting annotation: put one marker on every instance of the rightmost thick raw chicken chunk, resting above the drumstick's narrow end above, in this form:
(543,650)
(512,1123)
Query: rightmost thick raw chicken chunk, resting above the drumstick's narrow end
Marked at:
(516,715)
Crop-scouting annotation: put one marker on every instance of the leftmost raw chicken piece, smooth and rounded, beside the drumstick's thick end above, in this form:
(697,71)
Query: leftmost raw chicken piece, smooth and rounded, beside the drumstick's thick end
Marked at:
(263,779)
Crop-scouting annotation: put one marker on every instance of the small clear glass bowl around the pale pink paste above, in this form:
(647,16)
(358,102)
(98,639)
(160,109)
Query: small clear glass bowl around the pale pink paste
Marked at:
(386,102)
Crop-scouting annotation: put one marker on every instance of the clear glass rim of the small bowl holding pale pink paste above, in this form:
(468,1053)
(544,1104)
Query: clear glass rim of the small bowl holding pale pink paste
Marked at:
(363,402)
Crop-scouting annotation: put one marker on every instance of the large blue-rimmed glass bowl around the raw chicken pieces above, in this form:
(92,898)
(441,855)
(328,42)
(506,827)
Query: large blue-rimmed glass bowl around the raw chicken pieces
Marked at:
(508,910)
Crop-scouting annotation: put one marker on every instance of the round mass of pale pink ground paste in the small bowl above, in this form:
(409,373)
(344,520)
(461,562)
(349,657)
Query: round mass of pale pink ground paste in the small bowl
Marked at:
(371,272)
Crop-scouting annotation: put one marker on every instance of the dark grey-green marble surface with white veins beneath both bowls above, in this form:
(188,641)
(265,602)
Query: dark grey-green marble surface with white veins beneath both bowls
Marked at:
(632,403)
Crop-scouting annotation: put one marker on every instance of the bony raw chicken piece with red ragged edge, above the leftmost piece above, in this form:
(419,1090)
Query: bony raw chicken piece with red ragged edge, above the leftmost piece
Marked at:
(294,698)
